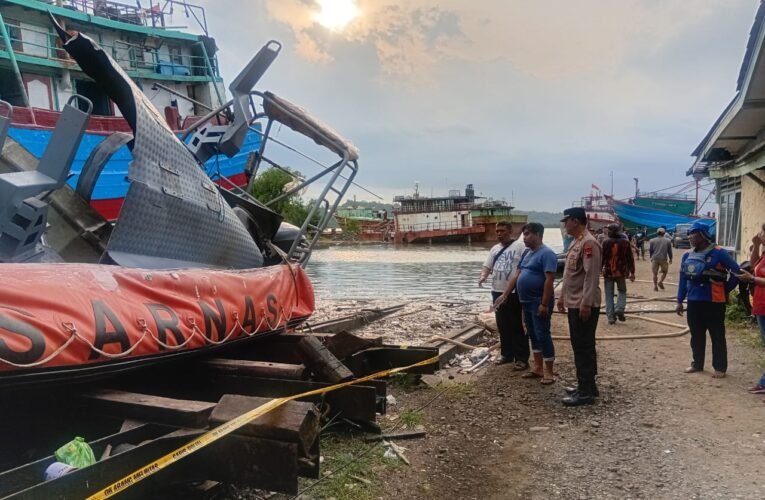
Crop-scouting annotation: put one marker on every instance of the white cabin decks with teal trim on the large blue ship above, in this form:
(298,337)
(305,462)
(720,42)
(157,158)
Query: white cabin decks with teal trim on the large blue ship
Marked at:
(177,70)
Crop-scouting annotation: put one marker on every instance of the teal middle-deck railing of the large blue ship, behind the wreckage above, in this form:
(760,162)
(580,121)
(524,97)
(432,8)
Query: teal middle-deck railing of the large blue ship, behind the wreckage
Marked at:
(130,56)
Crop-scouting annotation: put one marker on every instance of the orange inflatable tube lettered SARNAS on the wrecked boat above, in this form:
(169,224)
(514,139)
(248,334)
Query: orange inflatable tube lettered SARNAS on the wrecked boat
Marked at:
(74,316)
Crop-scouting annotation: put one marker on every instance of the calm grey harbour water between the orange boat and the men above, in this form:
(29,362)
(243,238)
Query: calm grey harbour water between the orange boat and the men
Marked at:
(388,271)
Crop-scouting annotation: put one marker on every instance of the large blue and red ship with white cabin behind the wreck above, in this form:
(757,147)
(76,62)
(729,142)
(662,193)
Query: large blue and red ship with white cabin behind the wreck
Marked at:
(177,71)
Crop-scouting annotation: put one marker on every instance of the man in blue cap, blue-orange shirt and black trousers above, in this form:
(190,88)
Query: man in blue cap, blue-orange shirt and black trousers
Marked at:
(704,281)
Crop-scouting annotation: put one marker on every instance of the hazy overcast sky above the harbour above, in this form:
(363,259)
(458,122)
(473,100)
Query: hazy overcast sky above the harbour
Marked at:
(534,100)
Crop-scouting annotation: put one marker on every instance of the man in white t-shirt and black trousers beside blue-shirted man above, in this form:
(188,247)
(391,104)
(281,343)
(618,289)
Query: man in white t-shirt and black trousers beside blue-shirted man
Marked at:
(501,263)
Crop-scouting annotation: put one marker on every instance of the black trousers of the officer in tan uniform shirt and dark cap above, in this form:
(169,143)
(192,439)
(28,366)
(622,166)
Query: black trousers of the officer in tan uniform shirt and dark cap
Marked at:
(583,344)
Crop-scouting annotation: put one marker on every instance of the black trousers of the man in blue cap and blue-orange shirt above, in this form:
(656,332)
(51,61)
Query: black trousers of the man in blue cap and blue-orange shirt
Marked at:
(703,317)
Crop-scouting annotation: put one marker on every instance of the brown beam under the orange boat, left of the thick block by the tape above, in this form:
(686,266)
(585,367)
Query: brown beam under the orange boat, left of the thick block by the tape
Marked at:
(146,407)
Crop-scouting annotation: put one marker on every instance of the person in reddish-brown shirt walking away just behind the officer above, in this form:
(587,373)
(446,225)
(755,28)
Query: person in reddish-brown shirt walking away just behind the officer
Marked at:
(618,266)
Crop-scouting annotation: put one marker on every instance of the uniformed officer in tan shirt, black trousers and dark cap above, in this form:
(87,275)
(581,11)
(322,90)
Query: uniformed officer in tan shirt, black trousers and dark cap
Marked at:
(580,298)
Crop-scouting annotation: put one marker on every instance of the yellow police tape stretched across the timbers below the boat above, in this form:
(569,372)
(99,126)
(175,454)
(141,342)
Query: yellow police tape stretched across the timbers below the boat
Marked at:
(230,427)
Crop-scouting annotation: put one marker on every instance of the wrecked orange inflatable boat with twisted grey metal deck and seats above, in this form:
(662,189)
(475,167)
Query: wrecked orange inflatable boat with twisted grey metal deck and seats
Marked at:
(190,266)
